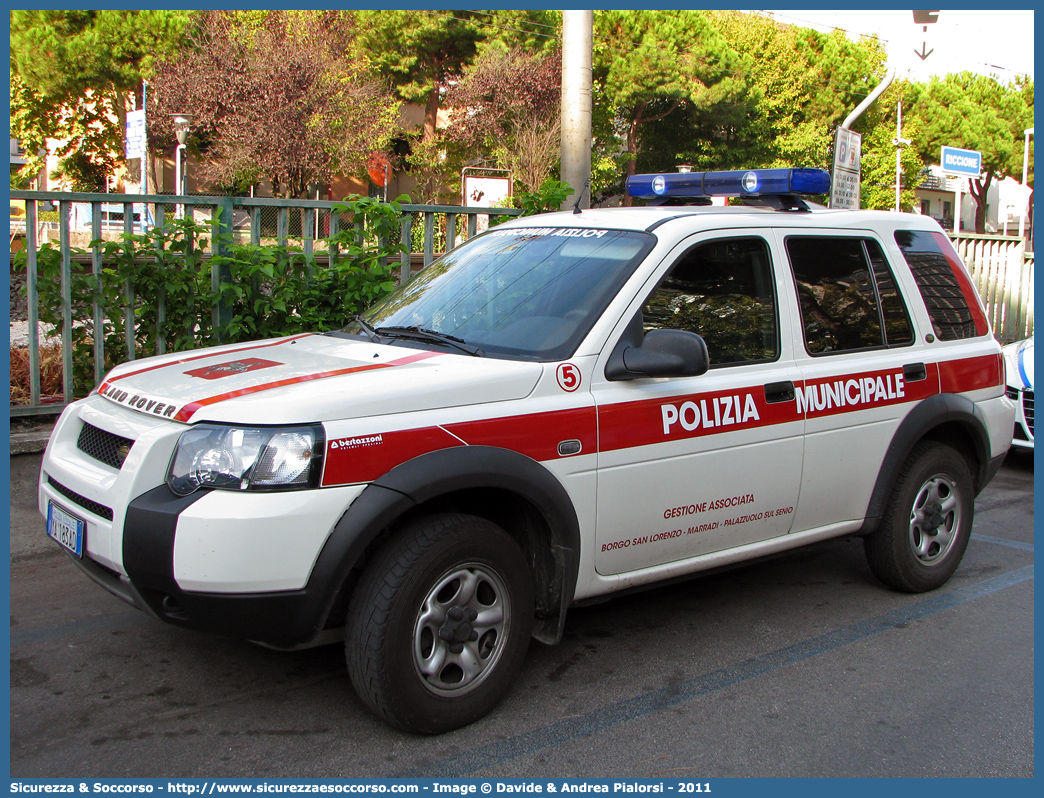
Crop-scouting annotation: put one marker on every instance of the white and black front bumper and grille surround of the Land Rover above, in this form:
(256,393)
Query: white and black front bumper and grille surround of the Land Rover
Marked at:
(233,564)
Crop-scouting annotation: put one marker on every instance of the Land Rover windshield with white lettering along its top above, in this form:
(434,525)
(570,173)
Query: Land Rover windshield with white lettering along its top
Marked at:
(526,294)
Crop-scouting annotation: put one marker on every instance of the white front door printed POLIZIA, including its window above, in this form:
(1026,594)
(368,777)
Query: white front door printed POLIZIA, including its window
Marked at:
(696,465)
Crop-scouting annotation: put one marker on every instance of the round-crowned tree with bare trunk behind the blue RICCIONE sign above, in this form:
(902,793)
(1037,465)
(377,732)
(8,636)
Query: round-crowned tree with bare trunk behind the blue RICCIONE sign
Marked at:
(976,112)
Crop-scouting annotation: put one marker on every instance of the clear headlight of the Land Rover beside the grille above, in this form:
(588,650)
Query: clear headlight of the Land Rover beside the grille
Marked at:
(241,459)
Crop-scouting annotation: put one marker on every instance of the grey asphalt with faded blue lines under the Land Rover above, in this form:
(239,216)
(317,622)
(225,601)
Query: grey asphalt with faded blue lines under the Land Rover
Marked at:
(803,666)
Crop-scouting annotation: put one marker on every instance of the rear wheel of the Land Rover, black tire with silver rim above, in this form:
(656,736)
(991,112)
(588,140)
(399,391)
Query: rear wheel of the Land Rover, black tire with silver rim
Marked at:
(928,522)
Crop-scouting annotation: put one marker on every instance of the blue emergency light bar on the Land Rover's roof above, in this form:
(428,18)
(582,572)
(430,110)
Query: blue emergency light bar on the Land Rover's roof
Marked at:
(740,183)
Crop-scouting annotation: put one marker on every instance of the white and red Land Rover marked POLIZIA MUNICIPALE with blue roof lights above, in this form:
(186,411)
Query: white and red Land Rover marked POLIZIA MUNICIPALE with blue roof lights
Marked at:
(560,409)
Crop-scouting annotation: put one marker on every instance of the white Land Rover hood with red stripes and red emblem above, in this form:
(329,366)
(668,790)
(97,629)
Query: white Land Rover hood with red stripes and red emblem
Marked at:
(312,379)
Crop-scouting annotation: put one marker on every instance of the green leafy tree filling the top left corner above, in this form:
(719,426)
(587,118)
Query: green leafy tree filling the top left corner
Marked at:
(72,76)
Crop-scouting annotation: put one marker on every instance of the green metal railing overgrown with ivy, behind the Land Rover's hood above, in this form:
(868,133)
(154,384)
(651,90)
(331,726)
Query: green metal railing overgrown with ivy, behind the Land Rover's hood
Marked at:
(426,232)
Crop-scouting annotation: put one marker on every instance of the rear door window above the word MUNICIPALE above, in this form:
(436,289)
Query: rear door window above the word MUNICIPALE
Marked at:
(849,299)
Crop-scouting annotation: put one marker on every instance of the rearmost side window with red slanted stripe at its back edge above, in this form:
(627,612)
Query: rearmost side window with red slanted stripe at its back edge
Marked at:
(954,306)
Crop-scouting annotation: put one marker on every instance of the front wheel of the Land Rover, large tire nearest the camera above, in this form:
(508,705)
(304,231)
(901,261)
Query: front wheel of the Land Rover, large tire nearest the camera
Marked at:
(414,655)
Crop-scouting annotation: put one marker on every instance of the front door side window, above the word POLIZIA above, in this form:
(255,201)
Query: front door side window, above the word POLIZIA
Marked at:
(722,291)
